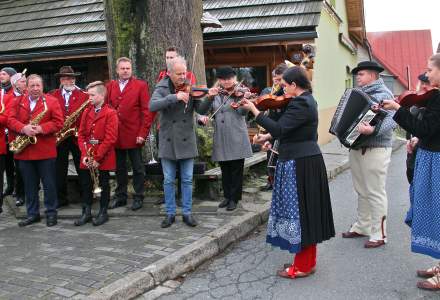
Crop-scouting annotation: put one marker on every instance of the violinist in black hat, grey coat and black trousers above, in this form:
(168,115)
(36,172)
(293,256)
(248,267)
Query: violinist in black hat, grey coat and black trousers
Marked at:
(231,142)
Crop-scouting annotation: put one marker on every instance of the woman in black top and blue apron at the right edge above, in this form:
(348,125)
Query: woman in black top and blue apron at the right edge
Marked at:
(424,214)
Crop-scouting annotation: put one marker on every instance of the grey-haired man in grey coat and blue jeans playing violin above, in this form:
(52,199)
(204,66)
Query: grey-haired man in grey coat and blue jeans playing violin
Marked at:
(177,138)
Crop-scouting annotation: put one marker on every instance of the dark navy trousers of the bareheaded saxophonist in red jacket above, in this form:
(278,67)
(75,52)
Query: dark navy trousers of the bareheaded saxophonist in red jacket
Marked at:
(33,171)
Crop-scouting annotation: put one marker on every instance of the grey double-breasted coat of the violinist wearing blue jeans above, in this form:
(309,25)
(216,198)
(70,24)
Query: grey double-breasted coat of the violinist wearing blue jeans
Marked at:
(177,137)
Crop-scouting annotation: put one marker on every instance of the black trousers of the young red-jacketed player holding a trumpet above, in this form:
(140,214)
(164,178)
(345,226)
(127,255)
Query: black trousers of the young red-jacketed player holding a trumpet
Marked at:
(87,187)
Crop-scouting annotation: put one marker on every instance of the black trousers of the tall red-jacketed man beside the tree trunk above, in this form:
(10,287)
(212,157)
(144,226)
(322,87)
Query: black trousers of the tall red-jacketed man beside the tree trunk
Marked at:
(135,156)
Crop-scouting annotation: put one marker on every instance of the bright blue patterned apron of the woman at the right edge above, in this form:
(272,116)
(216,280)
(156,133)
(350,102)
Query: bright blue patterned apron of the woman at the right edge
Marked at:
(424,214)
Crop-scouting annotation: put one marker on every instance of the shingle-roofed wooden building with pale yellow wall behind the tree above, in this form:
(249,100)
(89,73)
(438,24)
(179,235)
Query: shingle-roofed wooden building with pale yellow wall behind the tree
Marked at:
(255,37)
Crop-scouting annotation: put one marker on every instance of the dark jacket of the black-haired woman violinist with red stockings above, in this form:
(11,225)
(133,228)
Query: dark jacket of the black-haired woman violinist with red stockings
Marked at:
(297,128)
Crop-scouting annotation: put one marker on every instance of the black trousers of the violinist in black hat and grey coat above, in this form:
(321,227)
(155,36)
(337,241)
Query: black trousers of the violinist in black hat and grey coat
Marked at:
(232,178)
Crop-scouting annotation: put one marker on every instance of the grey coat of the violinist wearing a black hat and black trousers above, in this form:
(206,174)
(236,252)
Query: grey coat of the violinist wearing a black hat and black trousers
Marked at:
(231,140)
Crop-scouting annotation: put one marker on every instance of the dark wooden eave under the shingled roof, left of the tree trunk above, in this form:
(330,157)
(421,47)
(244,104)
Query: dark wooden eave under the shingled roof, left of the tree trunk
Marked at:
(53,54)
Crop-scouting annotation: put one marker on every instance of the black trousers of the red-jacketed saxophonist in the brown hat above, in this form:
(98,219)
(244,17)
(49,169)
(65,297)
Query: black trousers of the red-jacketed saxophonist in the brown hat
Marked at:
(62,166)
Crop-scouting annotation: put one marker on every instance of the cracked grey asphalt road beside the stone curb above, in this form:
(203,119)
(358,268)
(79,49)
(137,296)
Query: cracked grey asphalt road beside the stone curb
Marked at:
(345,269)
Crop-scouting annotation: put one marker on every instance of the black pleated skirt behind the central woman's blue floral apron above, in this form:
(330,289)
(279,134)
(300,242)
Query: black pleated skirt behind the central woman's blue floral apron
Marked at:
(315,208)
